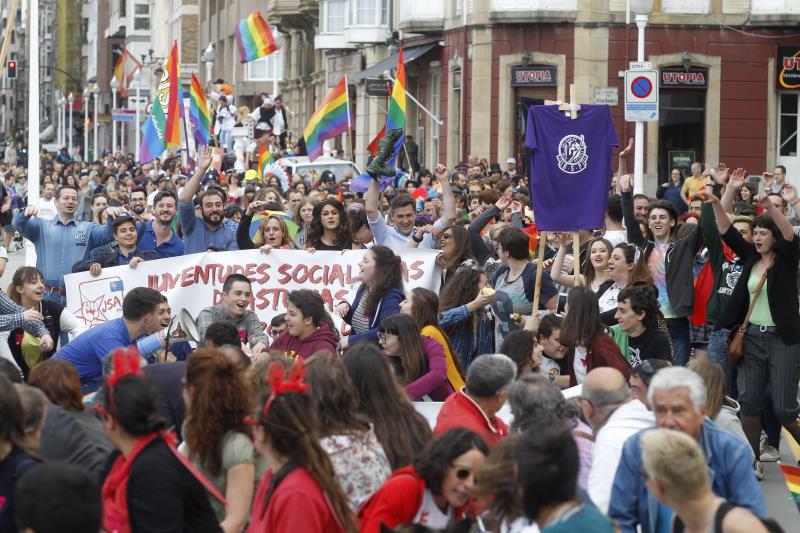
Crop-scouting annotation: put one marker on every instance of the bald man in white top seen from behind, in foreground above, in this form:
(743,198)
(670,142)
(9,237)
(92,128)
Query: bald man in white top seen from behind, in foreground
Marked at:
(614,416)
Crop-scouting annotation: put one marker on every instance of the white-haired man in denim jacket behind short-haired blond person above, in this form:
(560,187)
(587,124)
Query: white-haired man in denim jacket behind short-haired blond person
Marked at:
(678,398)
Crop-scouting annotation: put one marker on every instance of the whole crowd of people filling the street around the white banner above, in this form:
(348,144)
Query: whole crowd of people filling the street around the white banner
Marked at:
(609,404)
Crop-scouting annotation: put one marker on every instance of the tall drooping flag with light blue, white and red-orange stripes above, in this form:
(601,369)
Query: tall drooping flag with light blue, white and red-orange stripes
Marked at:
(161,129)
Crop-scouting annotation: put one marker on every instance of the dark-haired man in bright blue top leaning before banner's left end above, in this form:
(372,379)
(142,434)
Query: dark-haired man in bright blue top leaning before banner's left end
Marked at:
(86,352)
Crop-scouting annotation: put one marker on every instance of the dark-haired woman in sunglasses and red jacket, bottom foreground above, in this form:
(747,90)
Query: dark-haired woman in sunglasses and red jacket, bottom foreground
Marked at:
(435,491)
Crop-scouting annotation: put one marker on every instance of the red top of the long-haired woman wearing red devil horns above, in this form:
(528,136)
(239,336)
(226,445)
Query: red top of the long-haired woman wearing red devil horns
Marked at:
(297,504)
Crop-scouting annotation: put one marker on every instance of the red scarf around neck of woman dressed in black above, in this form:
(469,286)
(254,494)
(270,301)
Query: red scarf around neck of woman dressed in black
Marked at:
(115,488)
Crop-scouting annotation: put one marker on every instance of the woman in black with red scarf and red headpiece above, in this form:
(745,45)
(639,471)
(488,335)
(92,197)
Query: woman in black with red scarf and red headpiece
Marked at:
(151,486)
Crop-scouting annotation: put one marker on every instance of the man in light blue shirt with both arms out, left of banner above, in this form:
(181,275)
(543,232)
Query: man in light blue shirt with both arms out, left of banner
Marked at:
(61,242)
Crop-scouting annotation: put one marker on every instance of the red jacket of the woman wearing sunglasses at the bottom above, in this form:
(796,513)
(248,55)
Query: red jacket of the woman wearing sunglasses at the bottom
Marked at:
(396,502)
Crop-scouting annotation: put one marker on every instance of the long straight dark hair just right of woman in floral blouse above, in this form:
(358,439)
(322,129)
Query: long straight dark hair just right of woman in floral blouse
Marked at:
(401,430)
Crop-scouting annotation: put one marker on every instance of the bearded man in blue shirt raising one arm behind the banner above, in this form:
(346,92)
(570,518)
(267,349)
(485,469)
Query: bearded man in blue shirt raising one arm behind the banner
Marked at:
(209,232)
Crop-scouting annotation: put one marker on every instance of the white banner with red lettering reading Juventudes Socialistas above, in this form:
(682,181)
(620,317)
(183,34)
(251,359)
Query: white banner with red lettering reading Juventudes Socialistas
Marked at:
(194,282)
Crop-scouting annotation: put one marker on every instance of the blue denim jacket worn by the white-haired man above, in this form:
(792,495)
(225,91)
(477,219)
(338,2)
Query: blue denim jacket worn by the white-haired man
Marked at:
(730,472)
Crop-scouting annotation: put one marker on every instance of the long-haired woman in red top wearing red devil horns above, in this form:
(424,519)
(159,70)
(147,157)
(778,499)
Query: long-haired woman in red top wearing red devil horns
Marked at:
(298,492)
